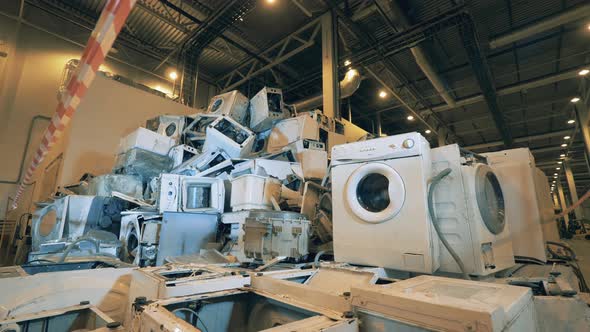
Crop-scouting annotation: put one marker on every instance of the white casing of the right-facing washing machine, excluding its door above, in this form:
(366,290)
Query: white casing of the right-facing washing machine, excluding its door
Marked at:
(460,219)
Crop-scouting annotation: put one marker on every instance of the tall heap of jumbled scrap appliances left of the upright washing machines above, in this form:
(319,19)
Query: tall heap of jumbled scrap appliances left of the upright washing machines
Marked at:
(244,178)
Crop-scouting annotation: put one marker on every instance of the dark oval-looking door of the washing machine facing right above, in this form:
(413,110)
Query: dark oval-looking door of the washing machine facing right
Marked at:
(490,199)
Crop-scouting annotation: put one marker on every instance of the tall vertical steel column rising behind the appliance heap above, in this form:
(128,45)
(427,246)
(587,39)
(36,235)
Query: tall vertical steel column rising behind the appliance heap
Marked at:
(330,84)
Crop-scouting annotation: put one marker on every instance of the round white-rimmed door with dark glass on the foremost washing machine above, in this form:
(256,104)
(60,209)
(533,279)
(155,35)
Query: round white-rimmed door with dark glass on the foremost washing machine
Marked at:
(375,192)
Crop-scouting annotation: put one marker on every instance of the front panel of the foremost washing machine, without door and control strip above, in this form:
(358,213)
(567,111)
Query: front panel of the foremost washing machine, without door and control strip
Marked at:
(404,242)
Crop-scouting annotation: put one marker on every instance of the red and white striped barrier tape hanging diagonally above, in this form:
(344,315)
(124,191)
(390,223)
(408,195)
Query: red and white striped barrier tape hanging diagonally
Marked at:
(101,40)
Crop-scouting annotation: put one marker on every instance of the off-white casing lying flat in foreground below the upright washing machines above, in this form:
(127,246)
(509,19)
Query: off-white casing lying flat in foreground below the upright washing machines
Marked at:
(427,303)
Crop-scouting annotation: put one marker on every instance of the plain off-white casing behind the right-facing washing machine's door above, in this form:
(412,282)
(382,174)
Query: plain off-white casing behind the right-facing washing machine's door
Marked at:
(515,169)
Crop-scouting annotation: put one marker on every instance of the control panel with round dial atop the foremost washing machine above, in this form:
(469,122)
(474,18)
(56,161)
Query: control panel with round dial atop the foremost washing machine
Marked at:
(397,146)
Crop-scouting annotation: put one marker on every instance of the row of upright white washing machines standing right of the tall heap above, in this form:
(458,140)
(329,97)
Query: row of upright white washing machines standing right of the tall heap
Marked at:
(488,210)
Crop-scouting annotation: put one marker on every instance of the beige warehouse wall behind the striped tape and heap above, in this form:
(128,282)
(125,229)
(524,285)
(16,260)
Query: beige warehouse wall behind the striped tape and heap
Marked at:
(29,79)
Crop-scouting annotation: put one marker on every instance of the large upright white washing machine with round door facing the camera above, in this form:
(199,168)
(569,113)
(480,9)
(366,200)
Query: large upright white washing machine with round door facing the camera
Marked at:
(379,204)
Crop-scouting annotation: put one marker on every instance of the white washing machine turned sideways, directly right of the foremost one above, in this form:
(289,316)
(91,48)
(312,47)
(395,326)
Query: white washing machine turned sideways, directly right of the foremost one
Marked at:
(469,207)
